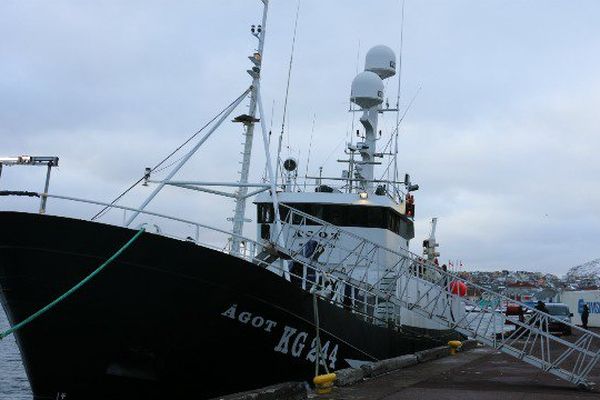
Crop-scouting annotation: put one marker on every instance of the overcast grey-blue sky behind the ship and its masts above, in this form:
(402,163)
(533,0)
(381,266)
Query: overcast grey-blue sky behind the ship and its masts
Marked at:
(503,137)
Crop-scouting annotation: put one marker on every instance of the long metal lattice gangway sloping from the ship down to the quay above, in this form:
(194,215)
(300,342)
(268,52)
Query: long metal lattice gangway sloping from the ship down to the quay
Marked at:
(531,342)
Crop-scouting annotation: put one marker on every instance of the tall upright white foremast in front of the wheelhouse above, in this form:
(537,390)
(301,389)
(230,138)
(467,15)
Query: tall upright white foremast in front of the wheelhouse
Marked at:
(249,122)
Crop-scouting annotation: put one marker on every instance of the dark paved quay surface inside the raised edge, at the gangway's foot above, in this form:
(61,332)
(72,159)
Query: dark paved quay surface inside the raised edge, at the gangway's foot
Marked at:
(478,374)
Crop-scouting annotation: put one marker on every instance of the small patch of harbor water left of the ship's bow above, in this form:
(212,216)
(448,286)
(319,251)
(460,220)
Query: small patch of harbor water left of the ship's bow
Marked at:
(13,381)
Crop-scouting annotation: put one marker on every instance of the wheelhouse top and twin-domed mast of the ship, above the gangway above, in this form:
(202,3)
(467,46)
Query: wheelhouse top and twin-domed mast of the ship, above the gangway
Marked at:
(374,209)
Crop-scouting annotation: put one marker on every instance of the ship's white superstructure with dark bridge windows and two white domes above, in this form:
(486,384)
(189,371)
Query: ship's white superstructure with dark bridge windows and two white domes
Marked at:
(379,211)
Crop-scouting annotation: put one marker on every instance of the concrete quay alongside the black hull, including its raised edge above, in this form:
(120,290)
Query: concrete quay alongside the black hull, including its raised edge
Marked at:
(476,373)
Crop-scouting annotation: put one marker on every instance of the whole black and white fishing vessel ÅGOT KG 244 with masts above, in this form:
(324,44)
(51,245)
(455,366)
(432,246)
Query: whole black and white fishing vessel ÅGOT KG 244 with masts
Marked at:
(314,291)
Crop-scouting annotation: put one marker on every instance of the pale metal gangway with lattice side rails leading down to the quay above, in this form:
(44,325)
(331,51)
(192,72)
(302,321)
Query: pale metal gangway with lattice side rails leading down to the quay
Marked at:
(529,342)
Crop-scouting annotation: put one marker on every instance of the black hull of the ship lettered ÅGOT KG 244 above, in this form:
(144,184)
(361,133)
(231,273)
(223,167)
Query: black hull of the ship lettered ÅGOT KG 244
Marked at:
(168,319)
